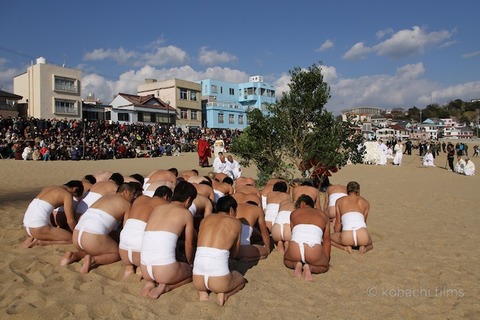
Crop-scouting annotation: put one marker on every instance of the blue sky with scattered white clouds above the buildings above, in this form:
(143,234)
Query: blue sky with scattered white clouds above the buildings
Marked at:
(377,53)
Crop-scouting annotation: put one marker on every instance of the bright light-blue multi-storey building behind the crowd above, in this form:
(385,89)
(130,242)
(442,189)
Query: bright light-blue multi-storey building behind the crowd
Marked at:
(224,104)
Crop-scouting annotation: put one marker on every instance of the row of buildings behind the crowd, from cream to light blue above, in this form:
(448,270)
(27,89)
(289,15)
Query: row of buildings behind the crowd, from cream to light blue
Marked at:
(50,91)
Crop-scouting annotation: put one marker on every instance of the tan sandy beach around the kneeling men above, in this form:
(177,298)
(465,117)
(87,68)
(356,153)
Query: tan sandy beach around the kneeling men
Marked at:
(425,263)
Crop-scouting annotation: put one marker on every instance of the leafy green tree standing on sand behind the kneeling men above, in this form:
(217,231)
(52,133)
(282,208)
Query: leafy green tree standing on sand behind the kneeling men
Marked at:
(297,136)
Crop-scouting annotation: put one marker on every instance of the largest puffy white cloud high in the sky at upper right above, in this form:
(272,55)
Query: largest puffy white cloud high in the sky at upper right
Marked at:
(407,43)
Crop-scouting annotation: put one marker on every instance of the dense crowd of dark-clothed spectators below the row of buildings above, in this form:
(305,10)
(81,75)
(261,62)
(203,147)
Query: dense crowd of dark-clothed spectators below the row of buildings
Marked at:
(64,139)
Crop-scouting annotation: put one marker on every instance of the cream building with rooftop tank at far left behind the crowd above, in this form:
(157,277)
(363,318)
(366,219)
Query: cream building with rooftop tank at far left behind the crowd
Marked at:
(49,91)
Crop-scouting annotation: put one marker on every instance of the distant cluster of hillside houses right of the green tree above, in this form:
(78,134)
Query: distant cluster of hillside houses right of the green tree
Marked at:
(375,124)
